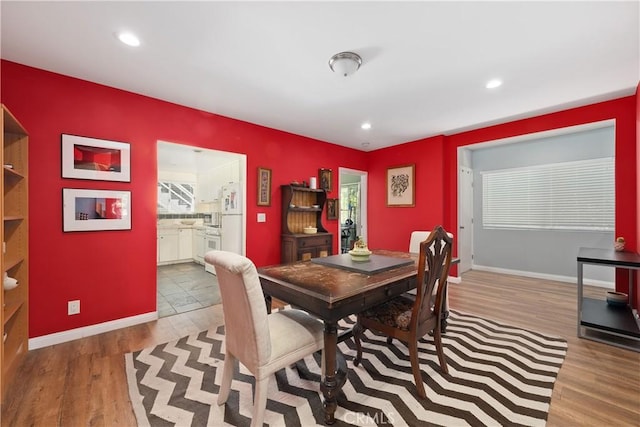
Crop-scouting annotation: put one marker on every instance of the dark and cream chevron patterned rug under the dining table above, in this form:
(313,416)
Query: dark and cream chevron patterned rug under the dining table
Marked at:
(498,375)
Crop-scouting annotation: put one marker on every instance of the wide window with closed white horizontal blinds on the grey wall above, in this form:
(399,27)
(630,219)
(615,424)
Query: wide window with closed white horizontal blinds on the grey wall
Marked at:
(577,195)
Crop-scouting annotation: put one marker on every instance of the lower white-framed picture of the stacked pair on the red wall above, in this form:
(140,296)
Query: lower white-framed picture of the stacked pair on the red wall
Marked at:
(95,210)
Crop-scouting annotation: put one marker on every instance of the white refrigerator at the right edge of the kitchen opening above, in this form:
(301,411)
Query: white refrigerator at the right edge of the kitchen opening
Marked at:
(231,224)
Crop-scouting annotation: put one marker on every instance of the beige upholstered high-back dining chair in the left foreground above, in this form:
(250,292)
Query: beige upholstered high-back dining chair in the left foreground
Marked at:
(263,343)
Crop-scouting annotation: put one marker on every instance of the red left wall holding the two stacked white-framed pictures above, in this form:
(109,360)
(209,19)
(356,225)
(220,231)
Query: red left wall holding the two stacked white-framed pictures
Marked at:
(68,266)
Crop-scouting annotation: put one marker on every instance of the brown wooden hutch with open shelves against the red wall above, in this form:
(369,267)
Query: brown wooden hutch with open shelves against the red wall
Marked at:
(302,207)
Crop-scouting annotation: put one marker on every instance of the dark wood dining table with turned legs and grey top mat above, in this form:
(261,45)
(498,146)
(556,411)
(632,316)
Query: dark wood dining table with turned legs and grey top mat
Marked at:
(334,288)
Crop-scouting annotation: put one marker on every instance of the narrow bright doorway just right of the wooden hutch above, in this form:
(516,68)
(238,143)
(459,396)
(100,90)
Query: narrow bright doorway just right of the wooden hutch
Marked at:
(353,207)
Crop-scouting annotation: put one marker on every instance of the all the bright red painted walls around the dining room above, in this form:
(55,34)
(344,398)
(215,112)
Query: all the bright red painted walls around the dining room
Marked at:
(66,266)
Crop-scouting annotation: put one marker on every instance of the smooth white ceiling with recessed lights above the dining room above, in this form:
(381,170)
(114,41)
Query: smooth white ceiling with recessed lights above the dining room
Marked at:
(424,63)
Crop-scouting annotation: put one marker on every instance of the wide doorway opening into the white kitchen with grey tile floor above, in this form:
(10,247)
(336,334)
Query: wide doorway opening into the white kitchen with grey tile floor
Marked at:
(191,184)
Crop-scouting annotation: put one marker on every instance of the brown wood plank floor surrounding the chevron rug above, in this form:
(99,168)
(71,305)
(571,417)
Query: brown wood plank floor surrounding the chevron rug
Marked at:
(83,383)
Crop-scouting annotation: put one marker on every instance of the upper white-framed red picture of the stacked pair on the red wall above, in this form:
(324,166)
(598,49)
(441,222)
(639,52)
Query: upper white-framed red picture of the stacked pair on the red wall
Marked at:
(97,159)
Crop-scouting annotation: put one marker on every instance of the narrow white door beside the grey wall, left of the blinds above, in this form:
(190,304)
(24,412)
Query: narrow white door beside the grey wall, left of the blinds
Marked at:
(465,218)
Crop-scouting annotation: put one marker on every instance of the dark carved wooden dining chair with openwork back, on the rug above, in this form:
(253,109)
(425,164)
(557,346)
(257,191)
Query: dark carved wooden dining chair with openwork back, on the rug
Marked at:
(411,318)
